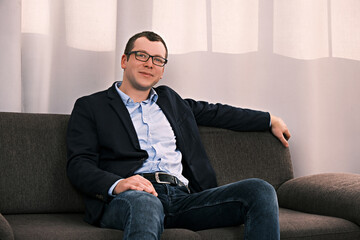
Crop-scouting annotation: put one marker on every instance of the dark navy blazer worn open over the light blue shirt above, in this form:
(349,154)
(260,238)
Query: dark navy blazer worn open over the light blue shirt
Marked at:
(103,145)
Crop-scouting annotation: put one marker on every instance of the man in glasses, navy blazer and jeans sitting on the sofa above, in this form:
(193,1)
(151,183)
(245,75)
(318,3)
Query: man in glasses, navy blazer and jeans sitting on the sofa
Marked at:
(135,153)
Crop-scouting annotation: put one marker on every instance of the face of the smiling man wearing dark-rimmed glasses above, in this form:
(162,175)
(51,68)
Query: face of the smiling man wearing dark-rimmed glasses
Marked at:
(143,75)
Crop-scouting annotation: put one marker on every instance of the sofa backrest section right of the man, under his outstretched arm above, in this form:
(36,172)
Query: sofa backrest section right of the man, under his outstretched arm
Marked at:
(240,155)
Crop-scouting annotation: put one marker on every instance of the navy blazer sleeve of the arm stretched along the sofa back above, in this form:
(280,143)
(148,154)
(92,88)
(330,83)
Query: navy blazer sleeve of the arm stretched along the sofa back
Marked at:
(229,117)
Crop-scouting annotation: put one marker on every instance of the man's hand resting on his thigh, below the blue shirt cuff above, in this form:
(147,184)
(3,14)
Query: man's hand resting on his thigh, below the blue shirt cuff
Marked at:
(135,182)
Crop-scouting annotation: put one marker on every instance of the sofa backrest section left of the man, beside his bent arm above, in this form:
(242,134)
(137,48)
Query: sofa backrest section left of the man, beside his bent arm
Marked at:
(33,165)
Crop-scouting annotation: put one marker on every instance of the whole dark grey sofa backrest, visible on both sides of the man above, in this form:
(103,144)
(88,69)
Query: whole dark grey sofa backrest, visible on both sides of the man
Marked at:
(33,161)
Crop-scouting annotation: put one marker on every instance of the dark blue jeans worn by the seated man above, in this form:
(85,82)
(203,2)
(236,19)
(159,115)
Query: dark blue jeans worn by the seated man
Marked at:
(140,215)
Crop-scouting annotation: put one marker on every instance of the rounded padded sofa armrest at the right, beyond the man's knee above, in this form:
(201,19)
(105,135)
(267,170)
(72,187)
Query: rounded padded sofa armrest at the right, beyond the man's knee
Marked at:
(330,194)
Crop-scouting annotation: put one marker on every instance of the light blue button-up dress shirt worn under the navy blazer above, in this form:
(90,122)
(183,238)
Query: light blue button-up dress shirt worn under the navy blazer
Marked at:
(155,136)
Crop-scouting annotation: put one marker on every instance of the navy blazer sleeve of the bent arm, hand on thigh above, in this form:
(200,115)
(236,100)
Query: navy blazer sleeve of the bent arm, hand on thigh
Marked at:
(83,154)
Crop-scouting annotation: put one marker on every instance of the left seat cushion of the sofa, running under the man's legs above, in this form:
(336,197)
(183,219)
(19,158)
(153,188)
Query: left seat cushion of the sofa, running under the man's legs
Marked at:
(72,226)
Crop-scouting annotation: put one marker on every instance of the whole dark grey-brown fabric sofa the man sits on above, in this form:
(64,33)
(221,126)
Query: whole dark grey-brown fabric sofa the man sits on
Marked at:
(38,202)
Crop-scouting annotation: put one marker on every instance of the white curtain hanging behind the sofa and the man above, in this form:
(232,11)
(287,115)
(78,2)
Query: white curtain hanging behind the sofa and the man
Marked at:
(298,59)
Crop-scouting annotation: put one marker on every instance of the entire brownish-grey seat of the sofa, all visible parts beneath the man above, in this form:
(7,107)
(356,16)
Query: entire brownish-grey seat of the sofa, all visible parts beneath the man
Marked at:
(294,225)
